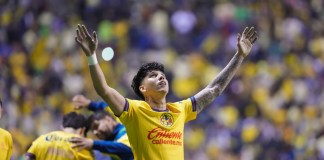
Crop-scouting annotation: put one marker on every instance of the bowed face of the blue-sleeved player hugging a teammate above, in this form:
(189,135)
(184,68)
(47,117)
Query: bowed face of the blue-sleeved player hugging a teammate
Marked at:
(103,128)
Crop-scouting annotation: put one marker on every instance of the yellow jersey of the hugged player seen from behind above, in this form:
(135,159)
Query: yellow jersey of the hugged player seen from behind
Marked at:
(56,146)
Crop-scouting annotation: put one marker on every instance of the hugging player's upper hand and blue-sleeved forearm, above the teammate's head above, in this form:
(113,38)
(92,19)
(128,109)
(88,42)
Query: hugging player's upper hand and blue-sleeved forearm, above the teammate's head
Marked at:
(80,102)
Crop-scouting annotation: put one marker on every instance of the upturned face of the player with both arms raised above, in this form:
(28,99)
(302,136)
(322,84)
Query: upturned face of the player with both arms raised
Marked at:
(155,82)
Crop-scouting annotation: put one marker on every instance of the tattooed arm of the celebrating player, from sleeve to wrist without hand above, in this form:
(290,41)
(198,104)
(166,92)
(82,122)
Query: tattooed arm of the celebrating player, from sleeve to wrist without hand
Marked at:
(217,86)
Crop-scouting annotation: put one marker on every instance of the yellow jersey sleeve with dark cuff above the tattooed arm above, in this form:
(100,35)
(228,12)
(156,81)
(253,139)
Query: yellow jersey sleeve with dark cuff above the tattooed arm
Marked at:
(189,108)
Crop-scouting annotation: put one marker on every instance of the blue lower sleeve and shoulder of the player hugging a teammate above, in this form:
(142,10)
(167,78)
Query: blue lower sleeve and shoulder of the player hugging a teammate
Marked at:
(114,147)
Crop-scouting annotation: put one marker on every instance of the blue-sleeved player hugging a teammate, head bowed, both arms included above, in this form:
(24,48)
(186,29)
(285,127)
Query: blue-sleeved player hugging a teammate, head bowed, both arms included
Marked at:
(113,140)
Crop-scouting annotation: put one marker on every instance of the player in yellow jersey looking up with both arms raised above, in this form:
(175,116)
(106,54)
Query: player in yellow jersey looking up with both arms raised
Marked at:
(154,126)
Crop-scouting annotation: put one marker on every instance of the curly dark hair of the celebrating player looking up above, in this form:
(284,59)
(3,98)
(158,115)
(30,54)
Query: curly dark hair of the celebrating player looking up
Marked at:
(142,72)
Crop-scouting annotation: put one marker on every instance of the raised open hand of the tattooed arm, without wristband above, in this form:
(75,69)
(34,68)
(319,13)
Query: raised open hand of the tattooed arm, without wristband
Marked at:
(246,41)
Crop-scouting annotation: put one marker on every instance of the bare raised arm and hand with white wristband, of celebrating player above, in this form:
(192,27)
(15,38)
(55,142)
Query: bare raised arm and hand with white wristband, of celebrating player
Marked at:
(111,96)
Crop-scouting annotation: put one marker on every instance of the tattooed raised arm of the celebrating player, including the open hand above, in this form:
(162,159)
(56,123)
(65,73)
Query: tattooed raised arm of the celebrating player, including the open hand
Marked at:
(217,85)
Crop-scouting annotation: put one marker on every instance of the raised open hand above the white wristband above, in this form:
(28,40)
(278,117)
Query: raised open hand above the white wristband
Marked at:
(88,44)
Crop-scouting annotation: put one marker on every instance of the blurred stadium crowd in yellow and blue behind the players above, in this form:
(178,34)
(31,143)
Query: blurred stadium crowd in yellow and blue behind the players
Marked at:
(272,109)
